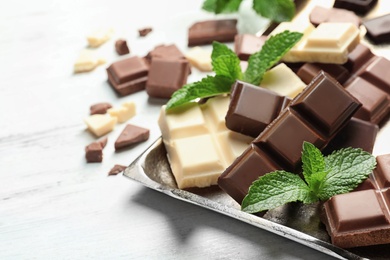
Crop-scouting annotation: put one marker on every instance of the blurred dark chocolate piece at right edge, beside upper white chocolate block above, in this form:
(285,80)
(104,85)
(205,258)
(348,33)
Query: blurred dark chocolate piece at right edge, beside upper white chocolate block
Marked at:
(378,29)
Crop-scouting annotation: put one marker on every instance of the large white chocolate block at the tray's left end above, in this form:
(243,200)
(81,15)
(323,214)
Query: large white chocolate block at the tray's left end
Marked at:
(199,145)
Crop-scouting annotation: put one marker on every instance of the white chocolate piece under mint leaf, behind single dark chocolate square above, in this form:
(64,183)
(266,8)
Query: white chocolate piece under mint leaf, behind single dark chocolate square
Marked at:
(283,81)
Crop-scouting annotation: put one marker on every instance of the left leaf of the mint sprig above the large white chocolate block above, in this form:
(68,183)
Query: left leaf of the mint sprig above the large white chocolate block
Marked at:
(207,87)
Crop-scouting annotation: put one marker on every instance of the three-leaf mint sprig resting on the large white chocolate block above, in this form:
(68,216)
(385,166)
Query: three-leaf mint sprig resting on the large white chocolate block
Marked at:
(226,66)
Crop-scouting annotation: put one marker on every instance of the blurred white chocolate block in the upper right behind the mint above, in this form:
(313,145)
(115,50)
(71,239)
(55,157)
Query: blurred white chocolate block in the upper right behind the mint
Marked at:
(328,43)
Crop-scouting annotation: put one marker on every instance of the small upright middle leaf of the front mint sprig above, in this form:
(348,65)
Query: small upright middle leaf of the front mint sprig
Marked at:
(312,161)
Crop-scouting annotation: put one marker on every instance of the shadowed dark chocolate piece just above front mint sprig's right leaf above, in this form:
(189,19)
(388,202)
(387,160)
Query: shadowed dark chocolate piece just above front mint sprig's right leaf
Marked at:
(357,134)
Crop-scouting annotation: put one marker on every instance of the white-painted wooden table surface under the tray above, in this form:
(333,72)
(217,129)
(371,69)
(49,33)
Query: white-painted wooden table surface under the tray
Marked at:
(54,205)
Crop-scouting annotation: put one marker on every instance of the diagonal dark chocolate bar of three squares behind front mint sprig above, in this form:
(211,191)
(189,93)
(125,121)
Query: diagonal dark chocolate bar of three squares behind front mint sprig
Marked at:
(309,117)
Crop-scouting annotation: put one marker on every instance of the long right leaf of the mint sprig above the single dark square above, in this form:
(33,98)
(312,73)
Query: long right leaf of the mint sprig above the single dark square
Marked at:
(271,52)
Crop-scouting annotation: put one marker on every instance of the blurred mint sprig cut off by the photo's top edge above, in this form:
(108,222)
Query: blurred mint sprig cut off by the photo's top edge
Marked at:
(276,10)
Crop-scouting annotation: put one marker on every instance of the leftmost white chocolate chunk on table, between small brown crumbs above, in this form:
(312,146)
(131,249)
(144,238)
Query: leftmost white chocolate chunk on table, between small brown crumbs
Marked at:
(100,124)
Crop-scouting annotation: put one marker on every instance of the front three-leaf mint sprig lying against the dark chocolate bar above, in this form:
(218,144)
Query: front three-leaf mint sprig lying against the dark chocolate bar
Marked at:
(340,172)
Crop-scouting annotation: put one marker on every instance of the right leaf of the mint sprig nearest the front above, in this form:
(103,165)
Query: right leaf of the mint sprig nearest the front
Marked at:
(346,168)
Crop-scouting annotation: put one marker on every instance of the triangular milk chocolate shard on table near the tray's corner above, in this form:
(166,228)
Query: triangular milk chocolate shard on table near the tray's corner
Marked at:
(131,135)
